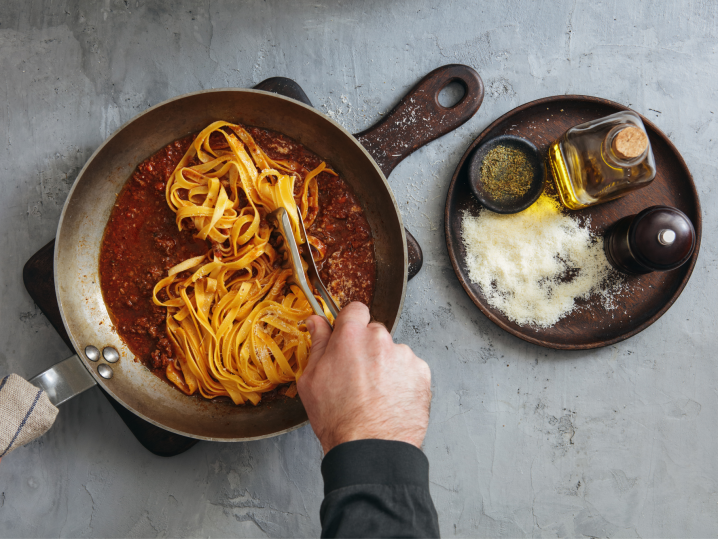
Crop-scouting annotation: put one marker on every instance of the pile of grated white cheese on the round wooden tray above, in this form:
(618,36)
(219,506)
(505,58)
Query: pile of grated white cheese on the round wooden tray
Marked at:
(533,265)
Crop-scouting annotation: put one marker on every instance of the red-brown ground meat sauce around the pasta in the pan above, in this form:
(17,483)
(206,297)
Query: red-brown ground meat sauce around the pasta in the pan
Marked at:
(141,242)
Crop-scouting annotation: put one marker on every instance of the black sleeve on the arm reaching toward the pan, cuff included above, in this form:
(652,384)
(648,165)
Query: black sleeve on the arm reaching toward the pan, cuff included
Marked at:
(377,488)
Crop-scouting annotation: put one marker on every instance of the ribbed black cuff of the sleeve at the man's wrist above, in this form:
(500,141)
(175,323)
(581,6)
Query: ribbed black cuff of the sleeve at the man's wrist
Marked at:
(378,462)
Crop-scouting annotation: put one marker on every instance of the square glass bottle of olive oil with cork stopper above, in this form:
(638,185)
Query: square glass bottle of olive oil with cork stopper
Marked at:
(602,160)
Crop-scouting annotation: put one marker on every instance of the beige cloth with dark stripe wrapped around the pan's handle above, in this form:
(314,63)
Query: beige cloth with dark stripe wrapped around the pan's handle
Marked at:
(26,413)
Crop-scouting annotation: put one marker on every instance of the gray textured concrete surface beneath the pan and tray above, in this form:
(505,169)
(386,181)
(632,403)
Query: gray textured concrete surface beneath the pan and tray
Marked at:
(523,441)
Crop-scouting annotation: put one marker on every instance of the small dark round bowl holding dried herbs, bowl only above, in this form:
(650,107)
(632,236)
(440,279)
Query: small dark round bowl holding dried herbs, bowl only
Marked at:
(512,205)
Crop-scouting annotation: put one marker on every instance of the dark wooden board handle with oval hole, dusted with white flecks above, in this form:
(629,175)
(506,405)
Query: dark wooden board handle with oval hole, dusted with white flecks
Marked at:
(419,118)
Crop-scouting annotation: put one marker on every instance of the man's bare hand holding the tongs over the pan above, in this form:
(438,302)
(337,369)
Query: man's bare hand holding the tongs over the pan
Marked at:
(358,384)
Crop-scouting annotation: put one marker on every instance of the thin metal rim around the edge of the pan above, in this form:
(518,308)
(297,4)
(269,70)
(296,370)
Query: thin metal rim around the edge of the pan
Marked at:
(101,381)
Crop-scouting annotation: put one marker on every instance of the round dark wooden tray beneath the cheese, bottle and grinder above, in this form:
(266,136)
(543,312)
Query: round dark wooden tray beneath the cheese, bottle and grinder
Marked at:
(646,297)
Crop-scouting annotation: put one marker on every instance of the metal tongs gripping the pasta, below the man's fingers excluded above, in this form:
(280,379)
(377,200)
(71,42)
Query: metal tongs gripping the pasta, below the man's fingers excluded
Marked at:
(294,260)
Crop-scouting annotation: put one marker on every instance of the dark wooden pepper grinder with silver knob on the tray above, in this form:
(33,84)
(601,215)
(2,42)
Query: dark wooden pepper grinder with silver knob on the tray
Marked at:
(659,238)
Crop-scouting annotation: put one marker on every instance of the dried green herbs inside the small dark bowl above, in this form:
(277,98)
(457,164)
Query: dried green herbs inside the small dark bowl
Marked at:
(506,173)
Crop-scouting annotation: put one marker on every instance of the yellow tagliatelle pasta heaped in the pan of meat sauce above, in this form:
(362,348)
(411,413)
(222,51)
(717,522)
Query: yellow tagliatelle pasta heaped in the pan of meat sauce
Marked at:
(233,316)
